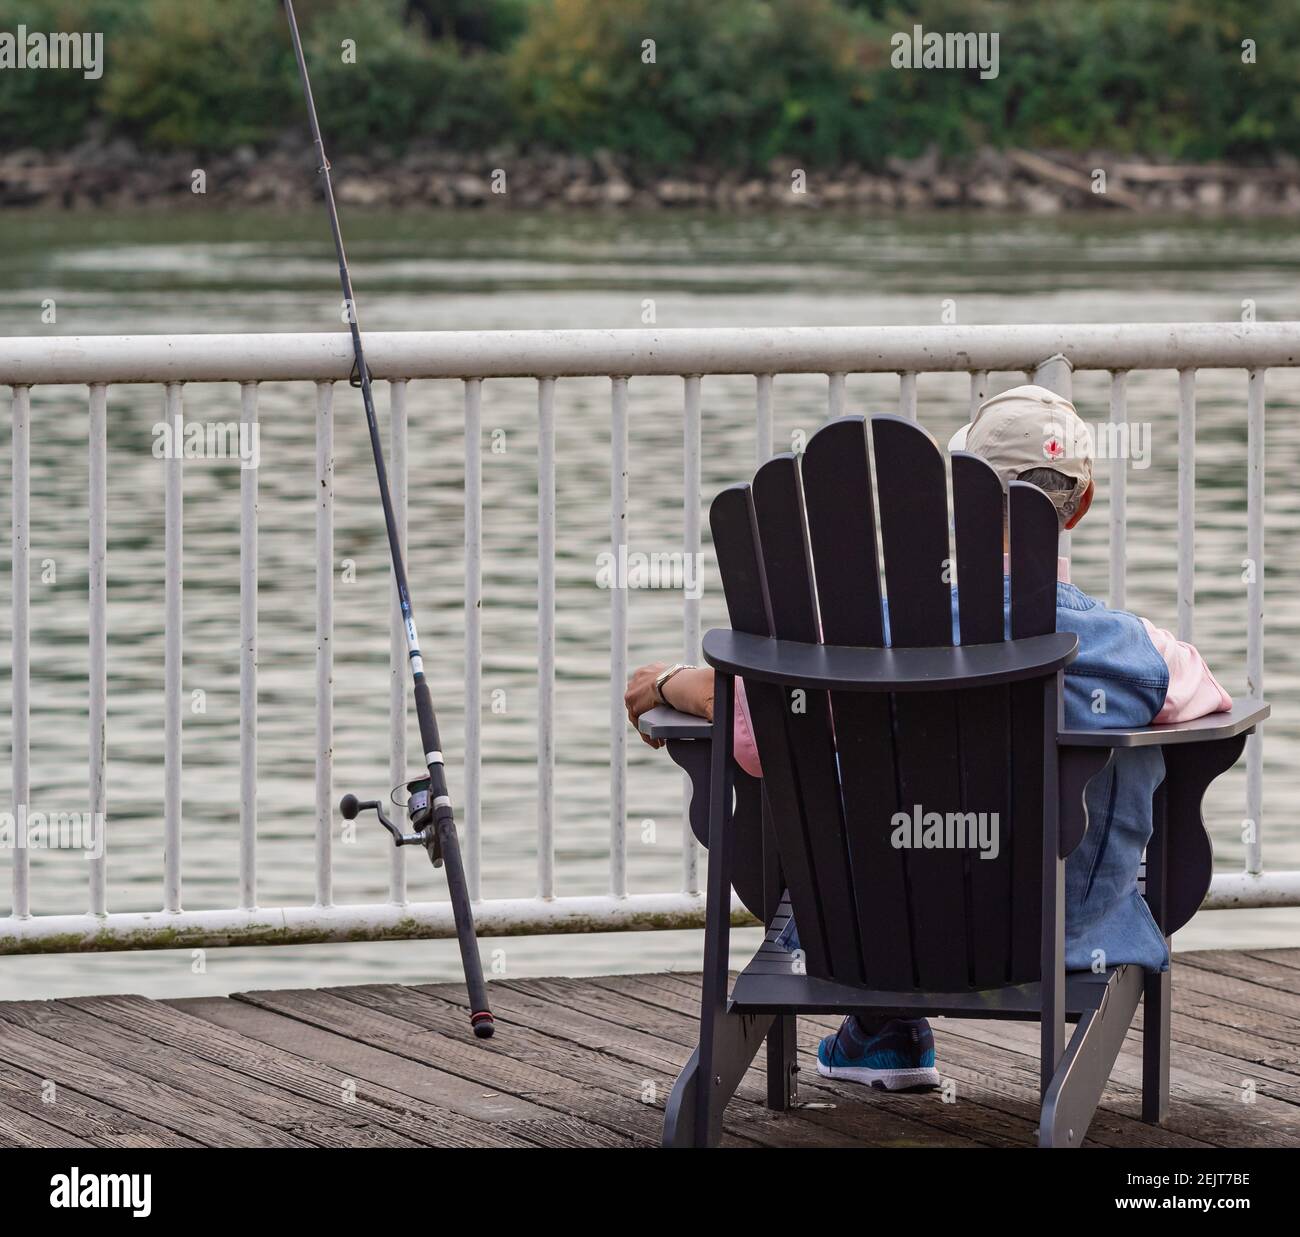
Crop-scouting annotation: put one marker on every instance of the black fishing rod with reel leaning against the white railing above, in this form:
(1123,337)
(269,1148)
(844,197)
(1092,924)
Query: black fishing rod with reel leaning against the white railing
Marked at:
(428,804)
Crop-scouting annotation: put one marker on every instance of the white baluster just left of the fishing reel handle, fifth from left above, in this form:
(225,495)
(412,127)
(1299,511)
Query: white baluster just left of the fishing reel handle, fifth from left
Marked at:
(324,643)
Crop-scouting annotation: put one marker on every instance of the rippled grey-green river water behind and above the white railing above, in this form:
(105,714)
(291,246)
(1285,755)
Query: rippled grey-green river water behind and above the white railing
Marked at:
(244,272)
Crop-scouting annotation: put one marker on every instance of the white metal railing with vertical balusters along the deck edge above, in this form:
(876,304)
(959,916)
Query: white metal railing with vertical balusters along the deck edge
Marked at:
(545,357)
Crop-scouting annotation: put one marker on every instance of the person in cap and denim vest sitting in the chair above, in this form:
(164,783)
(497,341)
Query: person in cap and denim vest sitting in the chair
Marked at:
(1128,674)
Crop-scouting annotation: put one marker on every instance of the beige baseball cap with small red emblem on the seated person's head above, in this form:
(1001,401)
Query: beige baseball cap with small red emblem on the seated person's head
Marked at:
(1030,427)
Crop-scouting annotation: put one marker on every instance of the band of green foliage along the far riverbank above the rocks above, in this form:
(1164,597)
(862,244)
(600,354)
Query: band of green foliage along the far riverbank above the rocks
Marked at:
(730,84)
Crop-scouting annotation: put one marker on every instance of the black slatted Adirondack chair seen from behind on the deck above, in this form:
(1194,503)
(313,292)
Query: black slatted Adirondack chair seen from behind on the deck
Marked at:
(851,732)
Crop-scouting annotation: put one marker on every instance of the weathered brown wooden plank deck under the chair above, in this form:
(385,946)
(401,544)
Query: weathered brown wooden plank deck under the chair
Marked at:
(584,1064)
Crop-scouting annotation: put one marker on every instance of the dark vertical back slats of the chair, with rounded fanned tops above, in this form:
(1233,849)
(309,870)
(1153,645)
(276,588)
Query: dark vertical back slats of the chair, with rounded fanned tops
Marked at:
(800,558)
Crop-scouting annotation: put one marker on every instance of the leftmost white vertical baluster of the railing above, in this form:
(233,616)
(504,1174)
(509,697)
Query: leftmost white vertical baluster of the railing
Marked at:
(21,663)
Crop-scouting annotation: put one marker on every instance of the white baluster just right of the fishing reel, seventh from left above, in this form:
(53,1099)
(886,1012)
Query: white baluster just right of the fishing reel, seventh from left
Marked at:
(474,635)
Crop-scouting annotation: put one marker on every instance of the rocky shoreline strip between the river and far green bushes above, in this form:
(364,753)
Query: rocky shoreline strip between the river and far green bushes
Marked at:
(119,176)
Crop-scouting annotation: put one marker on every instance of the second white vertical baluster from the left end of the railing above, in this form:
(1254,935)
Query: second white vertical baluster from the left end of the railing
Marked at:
(98,693)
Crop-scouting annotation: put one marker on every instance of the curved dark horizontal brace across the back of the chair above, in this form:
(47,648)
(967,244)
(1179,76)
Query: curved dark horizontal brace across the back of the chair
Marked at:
(839,669)
